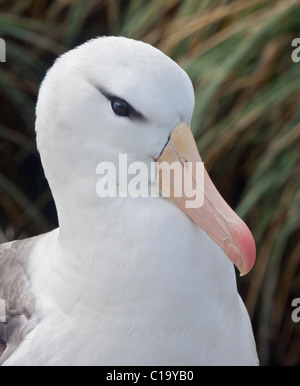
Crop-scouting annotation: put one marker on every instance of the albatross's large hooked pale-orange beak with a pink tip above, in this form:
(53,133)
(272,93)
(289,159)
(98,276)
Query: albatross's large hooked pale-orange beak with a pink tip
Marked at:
(208,209)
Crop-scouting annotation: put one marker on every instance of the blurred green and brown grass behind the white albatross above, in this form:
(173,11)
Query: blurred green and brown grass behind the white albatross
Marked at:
(246,121)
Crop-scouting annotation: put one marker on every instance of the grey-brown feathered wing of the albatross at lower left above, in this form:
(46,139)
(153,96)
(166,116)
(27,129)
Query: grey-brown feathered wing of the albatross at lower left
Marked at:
(17,302)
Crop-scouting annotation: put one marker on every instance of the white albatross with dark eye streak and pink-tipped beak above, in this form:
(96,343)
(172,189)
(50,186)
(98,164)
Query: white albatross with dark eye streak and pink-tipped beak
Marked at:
(124,280)
